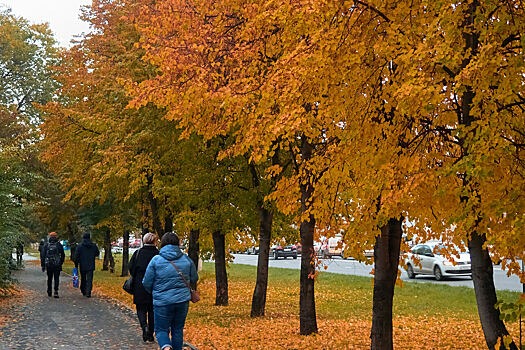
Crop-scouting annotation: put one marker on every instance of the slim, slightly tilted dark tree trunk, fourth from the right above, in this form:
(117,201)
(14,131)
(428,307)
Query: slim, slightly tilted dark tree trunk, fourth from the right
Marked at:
(261,283)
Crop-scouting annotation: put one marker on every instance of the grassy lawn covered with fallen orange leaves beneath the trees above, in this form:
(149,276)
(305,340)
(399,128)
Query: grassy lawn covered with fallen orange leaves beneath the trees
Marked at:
(426,316)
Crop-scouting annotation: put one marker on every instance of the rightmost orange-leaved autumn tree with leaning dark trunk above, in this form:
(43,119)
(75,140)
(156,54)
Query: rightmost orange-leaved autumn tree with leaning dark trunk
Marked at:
(473,113)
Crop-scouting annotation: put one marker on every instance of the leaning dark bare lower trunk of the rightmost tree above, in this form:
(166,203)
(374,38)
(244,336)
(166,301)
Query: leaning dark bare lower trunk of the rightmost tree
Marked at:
(494,329)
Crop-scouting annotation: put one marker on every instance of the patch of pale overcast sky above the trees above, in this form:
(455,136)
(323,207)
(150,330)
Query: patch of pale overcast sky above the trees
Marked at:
(62,15)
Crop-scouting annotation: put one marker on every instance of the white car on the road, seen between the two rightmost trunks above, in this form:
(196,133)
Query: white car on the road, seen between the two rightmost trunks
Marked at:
(428,259)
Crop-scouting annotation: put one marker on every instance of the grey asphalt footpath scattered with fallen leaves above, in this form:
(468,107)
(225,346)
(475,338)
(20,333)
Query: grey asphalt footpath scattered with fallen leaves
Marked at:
(72,321)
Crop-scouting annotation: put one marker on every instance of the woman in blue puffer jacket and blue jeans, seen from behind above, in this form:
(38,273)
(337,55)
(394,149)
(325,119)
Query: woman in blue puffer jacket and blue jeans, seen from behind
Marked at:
(170,292)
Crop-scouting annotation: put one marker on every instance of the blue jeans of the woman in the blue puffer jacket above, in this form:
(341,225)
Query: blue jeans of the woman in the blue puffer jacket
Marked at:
(170,318)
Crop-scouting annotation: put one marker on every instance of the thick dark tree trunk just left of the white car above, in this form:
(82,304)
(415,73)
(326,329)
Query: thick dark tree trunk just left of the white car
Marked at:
(386,261)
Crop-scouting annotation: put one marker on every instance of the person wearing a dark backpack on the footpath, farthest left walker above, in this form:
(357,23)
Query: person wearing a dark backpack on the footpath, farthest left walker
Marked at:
(52,259)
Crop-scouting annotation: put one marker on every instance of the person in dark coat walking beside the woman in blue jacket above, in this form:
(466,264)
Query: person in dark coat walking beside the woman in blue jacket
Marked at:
(141,298)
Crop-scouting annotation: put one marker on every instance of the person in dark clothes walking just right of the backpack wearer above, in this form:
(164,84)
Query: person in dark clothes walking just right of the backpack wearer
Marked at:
(85,255)
